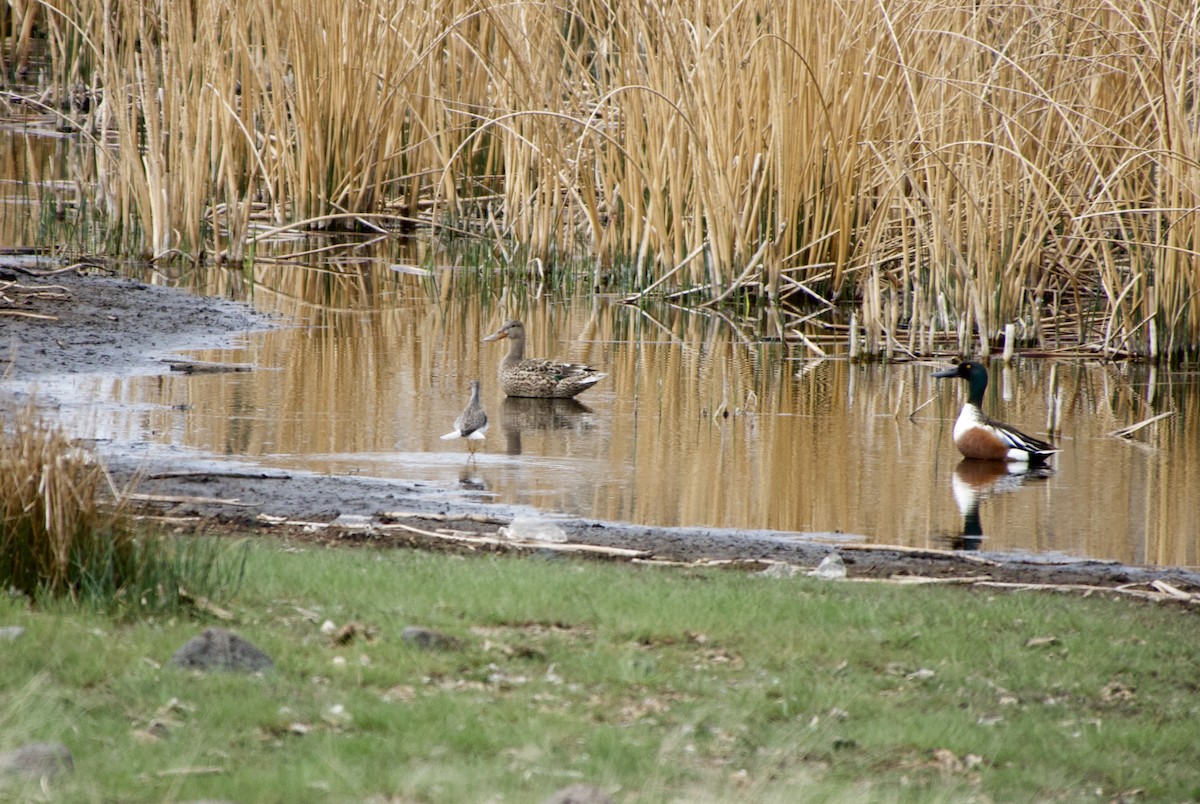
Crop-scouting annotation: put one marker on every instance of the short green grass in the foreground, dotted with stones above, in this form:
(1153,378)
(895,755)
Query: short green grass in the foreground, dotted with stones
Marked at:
(656,685)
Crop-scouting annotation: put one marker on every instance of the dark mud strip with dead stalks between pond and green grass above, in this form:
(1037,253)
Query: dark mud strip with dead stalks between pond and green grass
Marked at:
(364,511)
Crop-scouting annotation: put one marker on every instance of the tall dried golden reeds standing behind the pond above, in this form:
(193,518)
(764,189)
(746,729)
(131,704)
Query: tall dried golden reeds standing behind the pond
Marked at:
(947,169)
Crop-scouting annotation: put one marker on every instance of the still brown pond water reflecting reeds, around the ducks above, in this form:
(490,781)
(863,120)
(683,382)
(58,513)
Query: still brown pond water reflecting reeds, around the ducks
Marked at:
(699,423)
